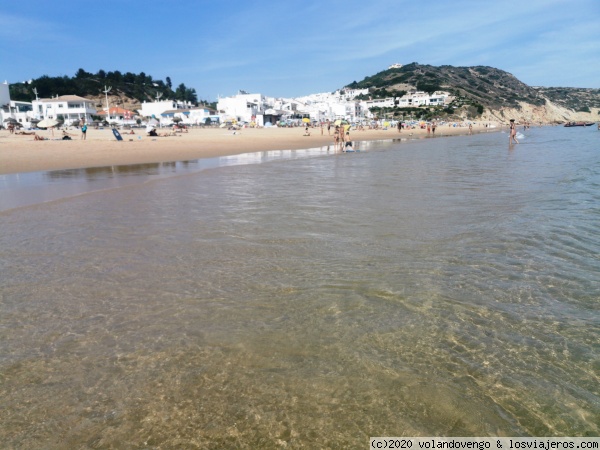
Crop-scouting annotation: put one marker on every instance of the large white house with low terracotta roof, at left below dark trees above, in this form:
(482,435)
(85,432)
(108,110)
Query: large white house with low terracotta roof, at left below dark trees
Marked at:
(70,108)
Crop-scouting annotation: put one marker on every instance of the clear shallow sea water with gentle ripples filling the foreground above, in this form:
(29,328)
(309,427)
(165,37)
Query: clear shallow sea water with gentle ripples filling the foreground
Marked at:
(307,299)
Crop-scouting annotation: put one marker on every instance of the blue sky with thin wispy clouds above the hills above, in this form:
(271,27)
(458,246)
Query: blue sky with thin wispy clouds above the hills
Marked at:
(295,48)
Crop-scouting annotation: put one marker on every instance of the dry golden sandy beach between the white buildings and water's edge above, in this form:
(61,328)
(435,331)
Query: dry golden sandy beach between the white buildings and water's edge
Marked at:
(21,153)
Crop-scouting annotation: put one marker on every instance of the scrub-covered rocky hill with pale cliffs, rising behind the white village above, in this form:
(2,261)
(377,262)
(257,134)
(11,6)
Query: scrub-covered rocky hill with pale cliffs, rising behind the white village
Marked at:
(499,94)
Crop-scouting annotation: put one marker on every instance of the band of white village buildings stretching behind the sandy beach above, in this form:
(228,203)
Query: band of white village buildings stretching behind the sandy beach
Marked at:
(256,109)
